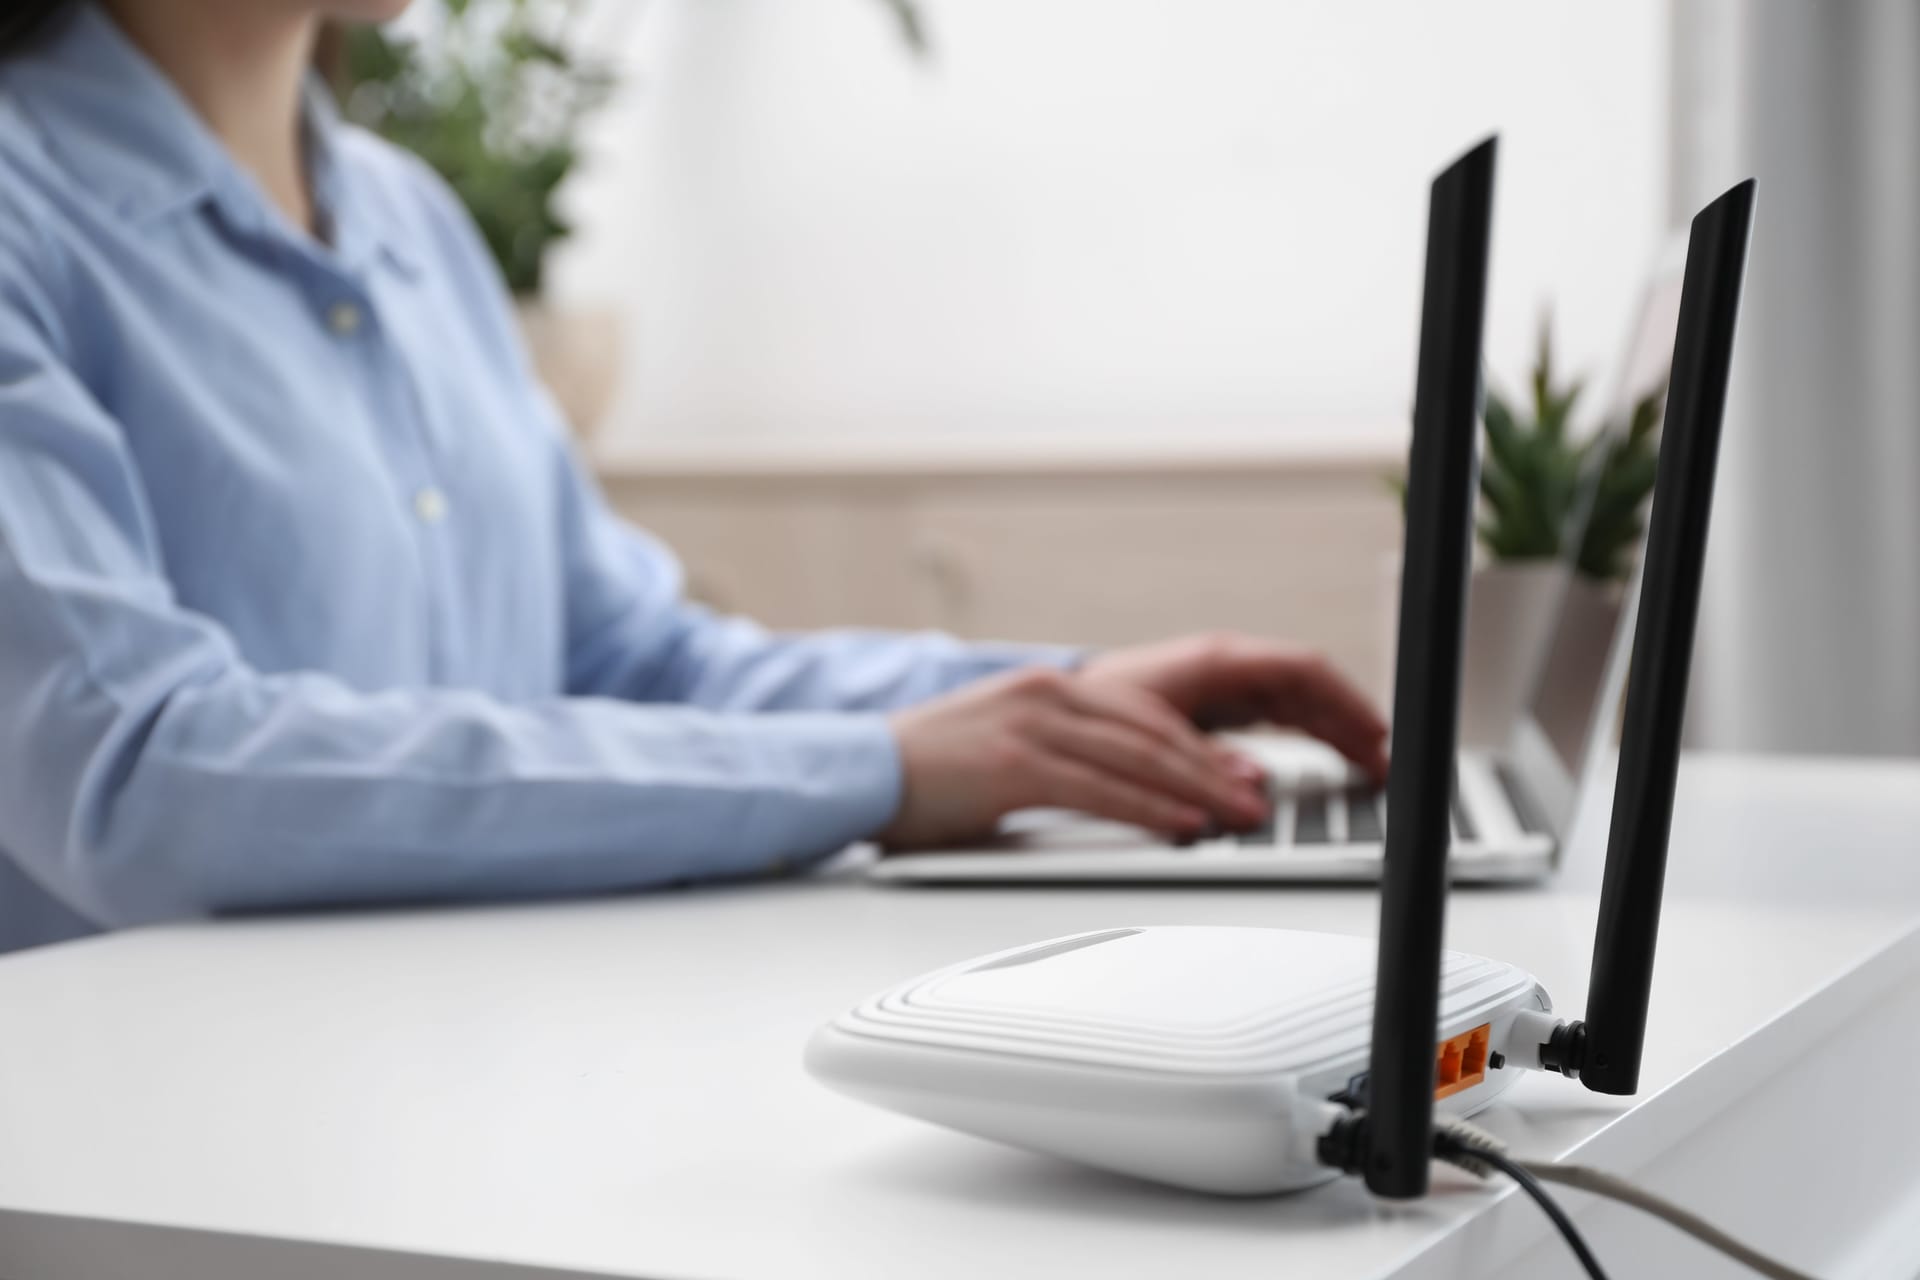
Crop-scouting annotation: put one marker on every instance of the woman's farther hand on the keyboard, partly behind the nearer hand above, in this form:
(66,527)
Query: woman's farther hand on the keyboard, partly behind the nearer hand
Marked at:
(1228,680)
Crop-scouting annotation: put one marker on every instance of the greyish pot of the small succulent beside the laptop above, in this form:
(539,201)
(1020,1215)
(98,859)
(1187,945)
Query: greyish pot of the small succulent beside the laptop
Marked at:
(1510,623)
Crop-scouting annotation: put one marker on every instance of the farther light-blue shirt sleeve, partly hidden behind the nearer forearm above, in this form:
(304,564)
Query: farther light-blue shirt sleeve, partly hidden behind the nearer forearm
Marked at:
(635,636)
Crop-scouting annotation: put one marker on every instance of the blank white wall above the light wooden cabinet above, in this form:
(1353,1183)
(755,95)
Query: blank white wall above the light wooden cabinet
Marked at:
(1132,216)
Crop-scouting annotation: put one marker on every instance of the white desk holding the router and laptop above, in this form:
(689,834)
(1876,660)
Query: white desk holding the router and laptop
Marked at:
(615,1089)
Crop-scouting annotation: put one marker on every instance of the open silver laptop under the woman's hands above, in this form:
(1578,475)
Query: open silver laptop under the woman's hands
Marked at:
(1516,801)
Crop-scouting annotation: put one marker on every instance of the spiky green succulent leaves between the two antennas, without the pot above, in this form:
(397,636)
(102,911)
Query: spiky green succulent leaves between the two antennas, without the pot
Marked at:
(1535,475)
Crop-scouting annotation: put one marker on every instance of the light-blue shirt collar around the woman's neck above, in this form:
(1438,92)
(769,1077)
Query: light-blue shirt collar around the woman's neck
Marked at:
(120,126)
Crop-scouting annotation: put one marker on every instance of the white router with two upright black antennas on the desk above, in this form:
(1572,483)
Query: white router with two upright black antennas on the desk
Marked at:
(1264,1060)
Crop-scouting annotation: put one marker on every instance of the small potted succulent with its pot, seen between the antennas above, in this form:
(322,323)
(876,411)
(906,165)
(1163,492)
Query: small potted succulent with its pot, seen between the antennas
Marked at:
(1541,486)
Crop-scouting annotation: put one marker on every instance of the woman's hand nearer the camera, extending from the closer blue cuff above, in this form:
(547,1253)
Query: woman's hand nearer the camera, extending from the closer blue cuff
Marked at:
(1045,738)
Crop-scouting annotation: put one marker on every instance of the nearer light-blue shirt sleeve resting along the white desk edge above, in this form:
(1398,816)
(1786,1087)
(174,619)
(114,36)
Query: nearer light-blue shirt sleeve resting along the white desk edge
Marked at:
(149,772)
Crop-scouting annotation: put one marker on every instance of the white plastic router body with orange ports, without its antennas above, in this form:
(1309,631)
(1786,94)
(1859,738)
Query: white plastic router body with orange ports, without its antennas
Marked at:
(1193,1056)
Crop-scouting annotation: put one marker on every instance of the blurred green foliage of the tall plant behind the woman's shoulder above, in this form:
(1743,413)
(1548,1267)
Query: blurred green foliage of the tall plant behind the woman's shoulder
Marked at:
(494,95)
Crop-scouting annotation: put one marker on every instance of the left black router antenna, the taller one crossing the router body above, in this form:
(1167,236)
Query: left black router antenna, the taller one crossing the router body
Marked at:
(1433,611)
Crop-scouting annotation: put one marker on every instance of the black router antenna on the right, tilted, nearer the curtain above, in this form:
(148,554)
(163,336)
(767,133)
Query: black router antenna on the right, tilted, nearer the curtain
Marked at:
(1664,650)
